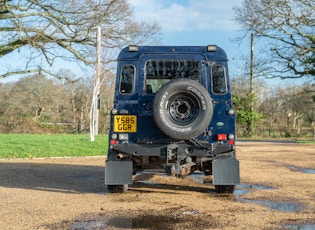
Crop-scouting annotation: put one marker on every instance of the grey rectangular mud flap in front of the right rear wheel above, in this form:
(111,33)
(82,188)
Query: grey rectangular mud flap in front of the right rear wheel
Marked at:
(226,170)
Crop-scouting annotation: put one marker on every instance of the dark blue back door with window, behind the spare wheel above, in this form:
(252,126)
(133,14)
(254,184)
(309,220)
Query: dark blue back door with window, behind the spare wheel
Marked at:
(155,71)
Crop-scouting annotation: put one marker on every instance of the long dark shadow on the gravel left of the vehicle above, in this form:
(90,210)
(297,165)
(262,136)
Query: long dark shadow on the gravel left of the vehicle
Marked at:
(63,178)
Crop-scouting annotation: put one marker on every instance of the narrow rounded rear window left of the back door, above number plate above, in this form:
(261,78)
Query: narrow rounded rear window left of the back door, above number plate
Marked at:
(127,79)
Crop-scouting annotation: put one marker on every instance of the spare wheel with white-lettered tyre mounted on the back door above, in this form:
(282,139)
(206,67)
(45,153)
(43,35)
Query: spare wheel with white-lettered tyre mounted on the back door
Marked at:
(182,109)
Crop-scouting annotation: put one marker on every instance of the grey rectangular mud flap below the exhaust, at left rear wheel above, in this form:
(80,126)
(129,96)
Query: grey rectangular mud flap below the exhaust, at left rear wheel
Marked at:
(118,172)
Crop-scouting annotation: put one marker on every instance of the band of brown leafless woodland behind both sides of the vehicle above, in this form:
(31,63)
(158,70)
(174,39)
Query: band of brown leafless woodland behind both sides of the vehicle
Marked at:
(36,104)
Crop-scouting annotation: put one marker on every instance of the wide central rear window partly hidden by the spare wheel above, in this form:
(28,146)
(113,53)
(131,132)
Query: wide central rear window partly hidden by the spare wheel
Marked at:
(159,72)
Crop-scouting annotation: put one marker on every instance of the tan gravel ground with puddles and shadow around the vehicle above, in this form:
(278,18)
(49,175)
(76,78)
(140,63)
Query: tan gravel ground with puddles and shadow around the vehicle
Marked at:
(276,192)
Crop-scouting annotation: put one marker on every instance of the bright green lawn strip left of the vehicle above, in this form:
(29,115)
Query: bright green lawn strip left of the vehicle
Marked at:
(38,145)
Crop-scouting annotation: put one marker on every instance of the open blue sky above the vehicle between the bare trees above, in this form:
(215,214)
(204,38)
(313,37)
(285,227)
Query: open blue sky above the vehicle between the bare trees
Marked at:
(200,22)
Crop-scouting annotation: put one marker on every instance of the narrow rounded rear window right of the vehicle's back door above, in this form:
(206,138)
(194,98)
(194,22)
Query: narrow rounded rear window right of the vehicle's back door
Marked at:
(218,79)
